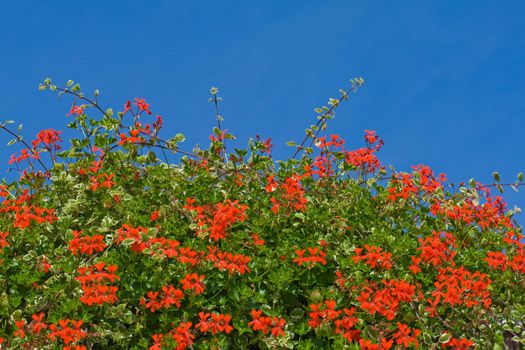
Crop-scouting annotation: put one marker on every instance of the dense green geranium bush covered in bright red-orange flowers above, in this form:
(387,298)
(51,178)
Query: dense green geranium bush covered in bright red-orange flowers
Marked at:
(124,240)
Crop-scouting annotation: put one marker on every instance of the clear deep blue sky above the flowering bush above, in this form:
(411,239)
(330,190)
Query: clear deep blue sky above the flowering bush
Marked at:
(445,82)
